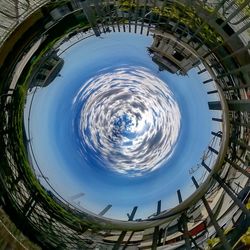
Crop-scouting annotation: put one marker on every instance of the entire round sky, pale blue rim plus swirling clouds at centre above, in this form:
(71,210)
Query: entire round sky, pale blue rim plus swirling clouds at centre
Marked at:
(114,127)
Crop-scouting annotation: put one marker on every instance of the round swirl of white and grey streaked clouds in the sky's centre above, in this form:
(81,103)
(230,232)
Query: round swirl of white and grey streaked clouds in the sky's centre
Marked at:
(127,119)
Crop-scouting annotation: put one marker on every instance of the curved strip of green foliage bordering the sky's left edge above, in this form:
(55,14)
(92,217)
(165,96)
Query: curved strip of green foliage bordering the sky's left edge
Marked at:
(19,143)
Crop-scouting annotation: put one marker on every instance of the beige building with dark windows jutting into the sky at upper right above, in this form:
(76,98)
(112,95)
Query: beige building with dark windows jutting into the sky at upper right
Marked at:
(170,55)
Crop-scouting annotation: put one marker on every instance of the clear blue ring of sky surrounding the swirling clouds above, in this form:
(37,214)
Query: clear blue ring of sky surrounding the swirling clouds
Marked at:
(55,148)
